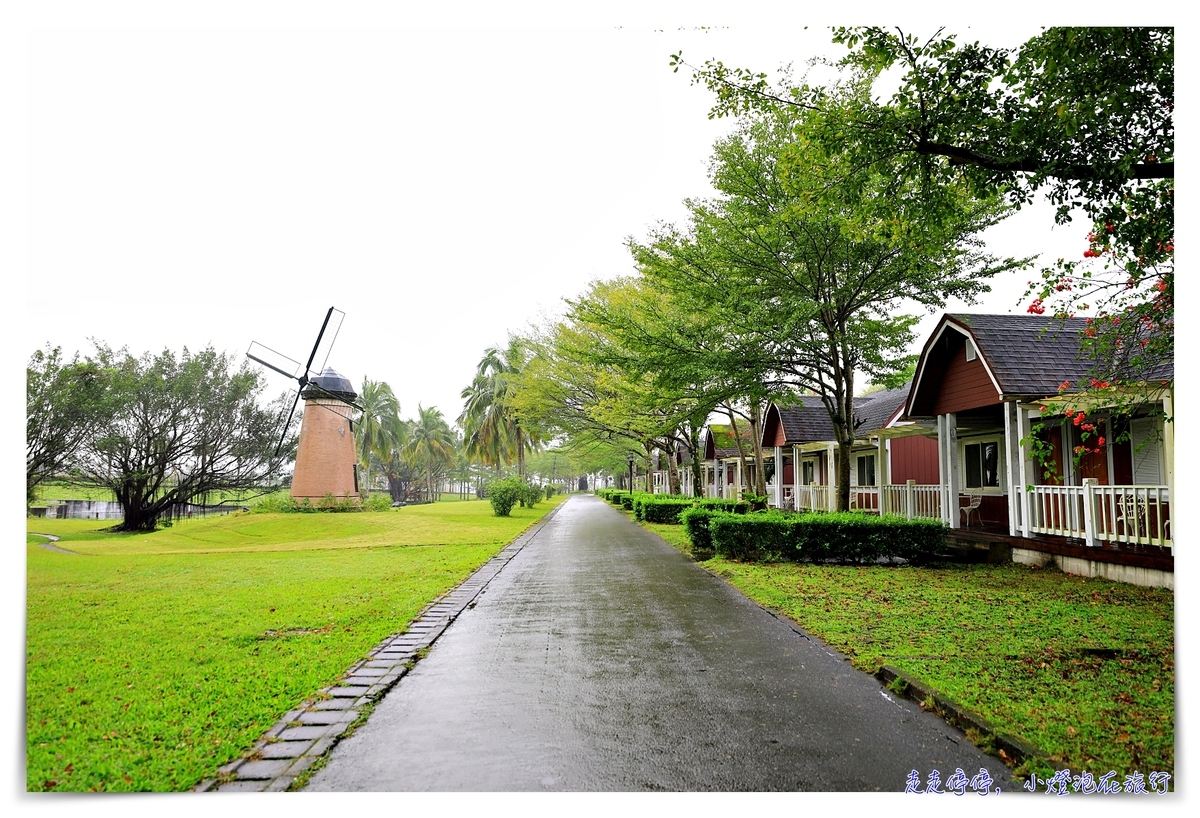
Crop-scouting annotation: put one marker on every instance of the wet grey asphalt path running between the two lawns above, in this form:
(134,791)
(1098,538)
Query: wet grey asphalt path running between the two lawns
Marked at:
(602,659)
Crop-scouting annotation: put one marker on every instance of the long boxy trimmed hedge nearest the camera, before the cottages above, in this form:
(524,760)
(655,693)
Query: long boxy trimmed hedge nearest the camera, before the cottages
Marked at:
(837,538)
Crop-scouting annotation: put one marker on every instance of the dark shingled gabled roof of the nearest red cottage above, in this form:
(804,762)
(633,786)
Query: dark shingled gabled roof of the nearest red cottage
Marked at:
(1025,357)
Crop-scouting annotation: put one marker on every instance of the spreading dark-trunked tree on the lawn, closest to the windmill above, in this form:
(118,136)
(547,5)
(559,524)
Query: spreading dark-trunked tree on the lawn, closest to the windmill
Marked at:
(182,430)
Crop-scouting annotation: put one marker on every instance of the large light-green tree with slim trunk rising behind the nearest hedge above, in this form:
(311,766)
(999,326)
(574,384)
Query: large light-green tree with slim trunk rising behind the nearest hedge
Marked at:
(812,250)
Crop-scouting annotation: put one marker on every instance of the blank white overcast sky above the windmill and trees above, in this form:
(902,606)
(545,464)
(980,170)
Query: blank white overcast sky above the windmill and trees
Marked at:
(441,184)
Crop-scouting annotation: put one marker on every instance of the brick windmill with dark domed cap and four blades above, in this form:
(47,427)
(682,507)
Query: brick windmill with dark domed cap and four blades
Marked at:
(327,462)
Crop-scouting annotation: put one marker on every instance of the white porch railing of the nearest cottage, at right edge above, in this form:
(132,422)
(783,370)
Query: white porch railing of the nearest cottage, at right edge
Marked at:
(1138,515)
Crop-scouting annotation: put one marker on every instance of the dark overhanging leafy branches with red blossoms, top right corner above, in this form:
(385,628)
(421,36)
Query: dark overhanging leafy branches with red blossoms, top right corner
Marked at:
(1084,115)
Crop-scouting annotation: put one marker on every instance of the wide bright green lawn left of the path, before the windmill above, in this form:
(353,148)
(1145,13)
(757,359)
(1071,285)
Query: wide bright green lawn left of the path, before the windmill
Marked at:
(152,660)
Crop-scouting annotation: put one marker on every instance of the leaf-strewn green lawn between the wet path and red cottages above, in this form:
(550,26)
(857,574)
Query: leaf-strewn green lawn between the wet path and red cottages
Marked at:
(1083,669)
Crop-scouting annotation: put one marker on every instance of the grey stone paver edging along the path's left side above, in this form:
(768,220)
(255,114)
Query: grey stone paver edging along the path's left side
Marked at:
(307,733)
